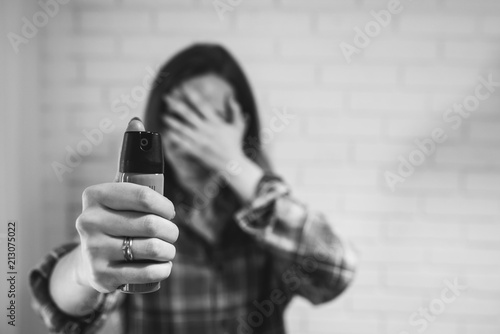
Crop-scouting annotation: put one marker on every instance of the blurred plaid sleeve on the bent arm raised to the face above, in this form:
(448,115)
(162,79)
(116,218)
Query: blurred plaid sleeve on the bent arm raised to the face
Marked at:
(312,260)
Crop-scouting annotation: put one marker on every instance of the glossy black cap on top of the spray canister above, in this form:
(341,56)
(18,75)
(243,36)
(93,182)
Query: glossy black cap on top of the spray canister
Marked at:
(141,153)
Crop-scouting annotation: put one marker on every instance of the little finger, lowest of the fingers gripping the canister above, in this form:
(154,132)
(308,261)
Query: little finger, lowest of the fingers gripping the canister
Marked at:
(139,272)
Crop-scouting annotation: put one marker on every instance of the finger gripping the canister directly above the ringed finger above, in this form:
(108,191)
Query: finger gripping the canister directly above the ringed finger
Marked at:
(134,224)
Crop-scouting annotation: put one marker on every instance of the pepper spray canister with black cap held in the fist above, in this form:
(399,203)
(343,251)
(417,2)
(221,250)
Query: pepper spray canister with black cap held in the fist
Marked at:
(141,162)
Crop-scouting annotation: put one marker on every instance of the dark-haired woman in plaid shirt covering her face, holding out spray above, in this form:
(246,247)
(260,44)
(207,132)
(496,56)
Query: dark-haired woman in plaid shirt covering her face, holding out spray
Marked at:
(243,246)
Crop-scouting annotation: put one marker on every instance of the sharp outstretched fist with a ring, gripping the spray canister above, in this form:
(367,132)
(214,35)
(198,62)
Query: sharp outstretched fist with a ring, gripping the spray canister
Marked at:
(113,211)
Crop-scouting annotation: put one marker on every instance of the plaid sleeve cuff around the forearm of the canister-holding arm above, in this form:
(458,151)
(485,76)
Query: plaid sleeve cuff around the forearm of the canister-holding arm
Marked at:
(56,320)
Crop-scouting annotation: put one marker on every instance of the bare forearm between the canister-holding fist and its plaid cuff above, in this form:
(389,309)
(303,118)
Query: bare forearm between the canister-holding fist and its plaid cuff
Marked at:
(67,292)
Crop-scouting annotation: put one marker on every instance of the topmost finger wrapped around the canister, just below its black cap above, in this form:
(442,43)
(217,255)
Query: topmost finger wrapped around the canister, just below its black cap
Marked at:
(126,196)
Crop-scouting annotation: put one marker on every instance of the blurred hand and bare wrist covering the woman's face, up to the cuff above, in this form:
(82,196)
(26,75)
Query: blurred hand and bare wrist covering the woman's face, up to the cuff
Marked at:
(215,142)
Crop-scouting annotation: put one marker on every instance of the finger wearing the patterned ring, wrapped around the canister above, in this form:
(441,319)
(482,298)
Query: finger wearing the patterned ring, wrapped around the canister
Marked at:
(150,249)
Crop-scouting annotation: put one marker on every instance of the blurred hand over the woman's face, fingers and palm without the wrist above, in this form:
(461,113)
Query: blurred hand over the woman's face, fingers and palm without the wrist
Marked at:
(204,133)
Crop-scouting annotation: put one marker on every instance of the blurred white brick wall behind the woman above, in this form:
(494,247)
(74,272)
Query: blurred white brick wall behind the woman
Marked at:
(358,114)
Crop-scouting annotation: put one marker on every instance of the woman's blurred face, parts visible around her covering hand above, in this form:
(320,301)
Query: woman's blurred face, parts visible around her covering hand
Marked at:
(216,91)
